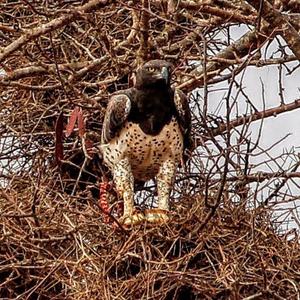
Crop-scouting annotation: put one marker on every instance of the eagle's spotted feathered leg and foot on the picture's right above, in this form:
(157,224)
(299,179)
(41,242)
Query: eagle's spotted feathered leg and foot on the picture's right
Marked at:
(165,178)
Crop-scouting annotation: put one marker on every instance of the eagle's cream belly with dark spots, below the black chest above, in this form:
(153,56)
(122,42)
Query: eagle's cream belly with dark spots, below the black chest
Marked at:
(145,152)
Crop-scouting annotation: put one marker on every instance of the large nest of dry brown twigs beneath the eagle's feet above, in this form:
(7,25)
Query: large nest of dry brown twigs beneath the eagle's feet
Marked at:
(57,246)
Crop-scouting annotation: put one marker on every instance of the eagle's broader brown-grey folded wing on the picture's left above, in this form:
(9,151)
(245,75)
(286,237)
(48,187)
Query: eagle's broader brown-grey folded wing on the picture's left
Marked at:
(116,114)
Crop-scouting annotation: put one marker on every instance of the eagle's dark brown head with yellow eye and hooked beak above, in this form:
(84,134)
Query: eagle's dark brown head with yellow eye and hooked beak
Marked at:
(153,73)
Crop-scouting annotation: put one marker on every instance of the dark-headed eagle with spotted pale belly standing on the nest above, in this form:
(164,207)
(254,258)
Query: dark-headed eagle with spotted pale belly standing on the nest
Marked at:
(146,130)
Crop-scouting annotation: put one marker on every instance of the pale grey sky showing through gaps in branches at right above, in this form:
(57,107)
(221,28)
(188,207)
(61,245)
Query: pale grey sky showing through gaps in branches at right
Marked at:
(274,128)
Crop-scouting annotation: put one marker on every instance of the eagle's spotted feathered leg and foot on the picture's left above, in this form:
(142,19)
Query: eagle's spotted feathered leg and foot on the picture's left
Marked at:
(124,182)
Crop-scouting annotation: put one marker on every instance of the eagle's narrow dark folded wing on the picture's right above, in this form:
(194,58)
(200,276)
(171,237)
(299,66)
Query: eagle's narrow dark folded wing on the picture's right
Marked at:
(184,117)
